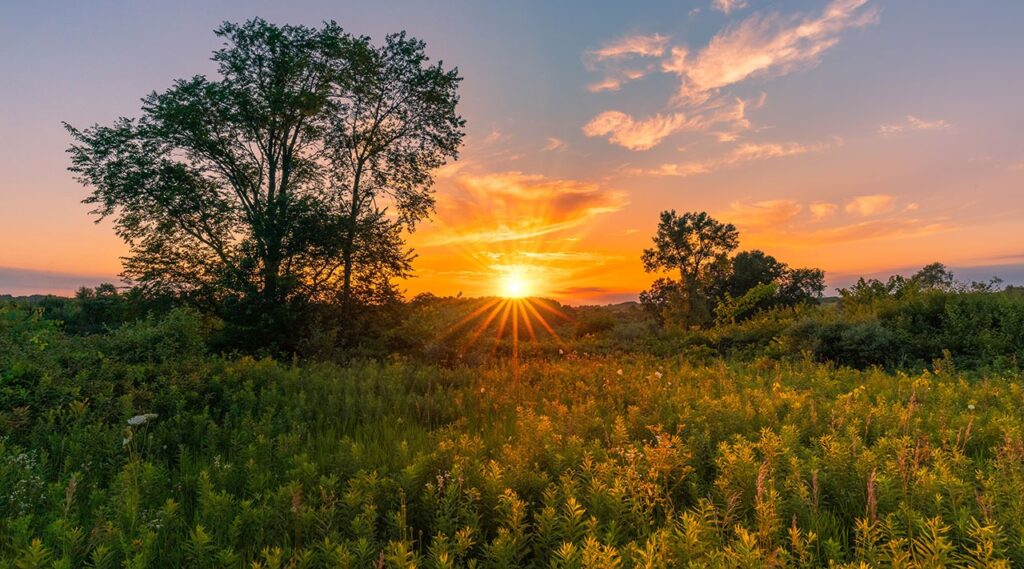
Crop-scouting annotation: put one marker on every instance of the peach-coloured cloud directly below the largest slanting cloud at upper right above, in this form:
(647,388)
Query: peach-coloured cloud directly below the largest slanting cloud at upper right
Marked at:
(645,135)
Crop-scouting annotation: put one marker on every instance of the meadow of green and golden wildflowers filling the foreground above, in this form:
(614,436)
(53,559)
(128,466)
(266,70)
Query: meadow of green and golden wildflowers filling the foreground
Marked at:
(137,448)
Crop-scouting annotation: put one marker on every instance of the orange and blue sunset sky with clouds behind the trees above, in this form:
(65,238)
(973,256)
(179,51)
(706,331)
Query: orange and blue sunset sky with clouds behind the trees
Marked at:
(860,137)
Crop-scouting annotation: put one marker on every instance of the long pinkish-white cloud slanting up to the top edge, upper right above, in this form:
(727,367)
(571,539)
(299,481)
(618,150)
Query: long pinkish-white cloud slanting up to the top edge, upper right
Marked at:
(763,46)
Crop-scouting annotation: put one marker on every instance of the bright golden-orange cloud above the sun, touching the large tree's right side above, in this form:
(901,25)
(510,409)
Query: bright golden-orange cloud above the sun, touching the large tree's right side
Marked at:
(514,206)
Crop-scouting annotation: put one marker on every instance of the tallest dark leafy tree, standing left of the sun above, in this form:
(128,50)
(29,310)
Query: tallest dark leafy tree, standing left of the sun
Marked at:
(289,178)
